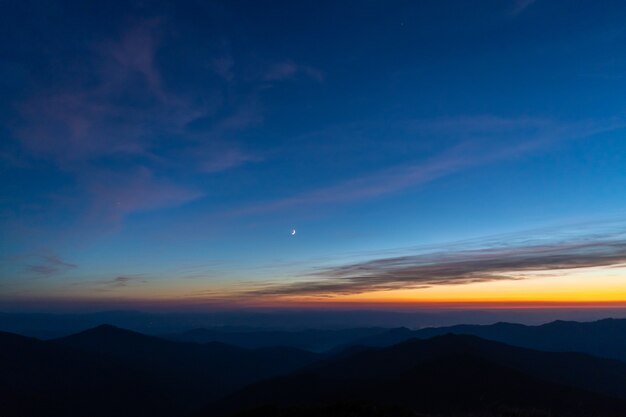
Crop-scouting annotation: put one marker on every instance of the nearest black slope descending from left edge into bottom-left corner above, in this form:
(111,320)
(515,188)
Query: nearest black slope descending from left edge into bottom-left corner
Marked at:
(42,379)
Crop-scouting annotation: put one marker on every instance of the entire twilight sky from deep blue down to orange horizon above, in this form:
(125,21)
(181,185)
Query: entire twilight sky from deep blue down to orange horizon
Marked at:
(312,154)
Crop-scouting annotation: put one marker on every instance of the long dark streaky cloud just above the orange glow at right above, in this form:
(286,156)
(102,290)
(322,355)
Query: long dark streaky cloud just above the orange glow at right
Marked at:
(494,262)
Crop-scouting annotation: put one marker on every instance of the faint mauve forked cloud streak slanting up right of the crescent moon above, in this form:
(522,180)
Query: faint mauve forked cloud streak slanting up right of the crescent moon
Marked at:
(481,140)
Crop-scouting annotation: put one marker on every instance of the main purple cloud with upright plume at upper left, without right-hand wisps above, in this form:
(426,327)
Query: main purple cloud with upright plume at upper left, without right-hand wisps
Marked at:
(80,121)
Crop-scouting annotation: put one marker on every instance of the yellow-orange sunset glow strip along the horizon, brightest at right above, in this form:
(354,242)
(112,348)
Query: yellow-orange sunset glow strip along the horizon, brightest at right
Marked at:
(577,288)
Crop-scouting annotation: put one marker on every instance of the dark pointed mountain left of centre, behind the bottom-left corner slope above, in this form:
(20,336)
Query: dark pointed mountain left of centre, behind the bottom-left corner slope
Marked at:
(200,372)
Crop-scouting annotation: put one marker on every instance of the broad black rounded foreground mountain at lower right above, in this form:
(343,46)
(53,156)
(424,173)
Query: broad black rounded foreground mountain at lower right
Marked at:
(449,375)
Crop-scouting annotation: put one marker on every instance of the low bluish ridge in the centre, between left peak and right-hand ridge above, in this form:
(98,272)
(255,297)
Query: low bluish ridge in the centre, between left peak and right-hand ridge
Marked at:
(311,339)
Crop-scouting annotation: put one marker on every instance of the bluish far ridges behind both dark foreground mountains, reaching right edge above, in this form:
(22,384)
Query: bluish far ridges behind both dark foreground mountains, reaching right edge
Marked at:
(606,338)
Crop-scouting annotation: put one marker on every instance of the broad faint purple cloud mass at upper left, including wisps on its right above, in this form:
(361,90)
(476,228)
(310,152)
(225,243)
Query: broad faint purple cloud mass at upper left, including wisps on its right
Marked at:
(123,110)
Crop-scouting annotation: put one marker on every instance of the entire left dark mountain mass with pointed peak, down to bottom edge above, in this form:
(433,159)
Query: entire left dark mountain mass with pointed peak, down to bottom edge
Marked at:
(111,371)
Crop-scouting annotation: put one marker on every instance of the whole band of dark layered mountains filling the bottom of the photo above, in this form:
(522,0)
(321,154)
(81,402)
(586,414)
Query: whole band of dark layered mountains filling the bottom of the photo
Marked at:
(443,372)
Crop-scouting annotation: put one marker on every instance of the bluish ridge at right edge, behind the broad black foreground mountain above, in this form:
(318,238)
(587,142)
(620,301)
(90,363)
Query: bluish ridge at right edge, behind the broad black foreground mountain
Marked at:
(606,338)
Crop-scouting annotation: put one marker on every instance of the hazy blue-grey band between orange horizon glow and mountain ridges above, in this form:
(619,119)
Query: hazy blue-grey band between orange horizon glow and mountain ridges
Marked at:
(50,325)
